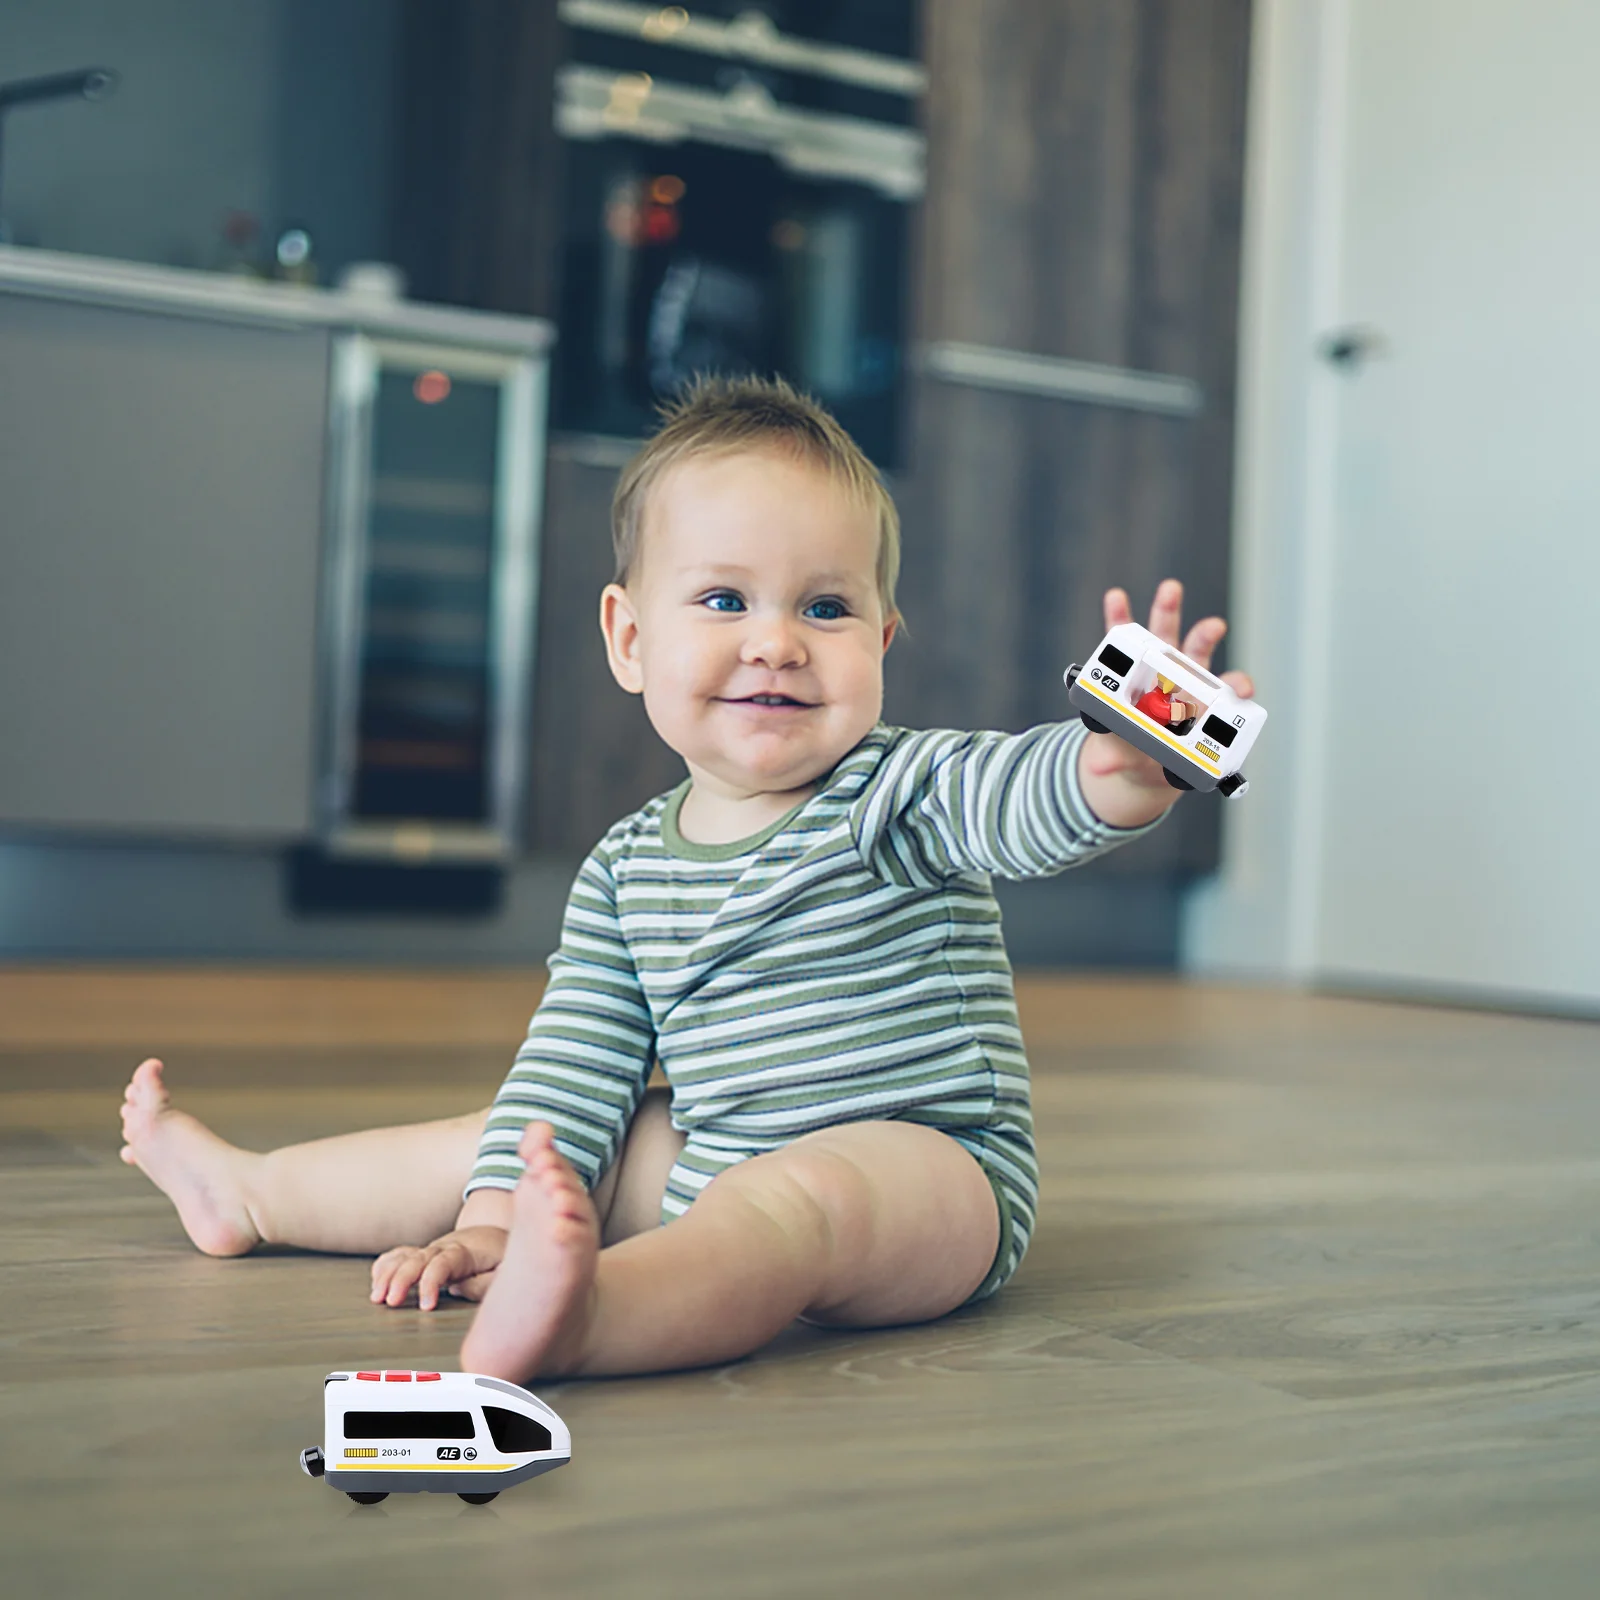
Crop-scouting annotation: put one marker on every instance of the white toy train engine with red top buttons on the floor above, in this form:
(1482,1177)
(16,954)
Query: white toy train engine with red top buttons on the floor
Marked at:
(399,1433)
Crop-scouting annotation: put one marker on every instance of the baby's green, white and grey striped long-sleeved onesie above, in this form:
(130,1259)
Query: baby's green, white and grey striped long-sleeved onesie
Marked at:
(844,964)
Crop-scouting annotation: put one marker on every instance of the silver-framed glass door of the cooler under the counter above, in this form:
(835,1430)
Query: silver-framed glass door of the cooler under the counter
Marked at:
(433,586)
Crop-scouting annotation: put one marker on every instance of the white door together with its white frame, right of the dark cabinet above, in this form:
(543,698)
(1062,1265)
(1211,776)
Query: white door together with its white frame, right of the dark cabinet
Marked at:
(1417,545)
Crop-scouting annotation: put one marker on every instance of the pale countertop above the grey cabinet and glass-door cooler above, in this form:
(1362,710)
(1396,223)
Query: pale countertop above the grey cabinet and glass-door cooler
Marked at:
(218,297)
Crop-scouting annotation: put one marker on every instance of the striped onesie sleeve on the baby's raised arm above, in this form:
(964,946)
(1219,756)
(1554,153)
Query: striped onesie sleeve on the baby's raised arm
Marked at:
(1004,804)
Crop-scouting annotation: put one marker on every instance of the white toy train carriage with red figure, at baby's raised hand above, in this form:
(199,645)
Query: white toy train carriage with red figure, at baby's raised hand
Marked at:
(1169,706)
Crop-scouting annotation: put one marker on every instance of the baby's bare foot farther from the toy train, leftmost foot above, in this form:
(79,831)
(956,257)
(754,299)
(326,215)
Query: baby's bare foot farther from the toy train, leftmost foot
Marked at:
(190,1164)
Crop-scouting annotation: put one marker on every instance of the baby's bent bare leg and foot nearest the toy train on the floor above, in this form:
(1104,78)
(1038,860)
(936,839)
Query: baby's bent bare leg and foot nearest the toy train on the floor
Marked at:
(865,1225)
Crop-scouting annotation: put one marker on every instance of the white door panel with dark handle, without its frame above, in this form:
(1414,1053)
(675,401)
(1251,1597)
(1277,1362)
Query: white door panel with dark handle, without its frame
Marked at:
(1457,762)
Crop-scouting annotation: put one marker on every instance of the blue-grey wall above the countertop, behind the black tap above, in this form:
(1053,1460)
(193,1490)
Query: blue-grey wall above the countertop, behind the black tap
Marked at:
(278,108)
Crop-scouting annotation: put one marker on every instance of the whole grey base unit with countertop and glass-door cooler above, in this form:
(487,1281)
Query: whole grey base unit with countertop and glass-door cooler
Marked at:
(268,562)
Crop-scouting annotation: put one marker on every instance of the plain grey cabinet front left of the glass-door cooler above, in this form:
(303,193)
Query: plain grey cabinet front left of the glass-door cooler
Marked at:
(161,524)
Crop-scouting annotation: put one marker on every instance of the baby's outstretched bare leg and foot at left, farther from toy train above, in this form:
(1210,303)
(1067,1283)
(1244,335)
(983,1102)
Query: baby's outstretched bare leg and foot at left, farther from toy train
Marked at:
(359,1193)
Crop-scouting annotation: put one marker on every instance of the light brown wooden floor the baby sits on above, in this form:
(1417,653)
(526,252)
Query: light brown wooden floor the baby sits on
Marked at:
(1314,1310)
